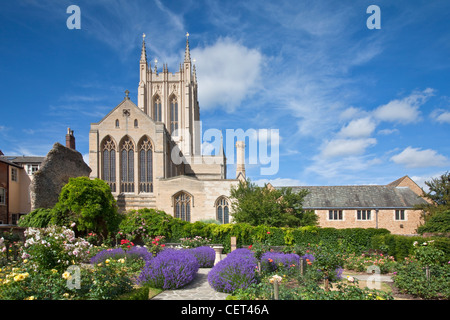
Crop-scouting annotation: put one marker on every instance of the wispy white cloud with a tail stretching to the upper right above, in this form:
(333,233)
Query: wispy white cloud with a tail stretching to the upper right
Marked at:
(405,110)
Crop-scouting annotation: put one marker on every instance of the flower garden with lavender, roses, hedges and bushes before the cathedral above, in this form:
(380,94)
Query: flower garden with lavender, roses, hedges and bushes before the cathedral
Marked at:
(84,249)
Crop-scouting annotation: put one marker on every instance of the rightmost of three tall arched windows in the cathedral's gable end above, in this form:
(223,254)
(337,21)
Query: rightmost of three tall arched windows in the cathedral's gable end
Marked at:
(145,166)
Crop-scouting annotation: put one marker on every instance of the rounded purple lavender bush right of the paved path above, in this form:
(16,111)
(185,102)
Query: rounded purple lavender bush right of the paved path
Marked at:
(236,271)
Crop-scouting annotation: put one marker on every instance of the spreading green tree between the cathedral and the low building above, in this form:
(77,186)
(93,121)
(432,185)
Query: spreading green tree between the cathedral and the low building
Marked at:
(266,205)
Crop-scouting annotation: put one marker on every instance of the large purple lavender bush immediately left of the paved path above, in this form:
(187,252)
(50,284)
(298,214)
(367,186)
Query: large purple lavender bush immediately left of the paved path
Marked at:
(170,269)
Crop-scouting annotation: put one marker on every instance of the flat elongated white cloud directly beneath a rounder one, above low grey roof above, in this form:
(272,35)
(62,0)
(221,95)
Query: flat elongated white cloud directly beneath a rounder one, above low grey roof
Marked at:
(346,147)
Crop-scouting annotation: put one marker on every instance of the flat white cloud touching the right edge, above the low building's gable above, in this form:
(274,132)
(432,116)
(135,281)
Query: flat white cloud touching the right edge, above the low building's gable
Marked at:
(416,158)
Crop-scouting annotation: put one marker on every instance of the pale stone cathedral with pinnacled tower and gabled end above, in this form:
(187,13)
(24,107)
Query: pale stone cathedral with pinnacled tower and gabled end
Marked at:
(150,153)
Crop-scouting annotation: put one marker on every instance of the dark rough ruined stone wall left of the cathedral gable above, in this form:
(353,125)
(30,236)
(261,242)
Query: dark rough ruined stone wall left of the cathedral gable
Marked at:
(60,164)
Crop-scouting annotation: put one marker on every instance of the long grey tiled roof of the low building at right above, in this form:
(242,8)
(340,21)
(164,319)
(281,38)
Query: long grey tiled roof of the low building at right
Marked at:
(352,197)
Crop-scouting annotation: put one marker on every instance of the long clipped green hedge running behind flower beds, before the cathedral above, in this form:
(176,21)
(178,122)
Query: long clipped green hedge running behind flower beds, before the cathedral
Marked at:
(158,223)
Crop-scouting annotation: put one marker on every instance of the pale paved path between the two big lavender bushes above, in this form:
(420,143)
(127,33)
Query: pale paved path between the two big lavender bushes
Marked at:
(198,289)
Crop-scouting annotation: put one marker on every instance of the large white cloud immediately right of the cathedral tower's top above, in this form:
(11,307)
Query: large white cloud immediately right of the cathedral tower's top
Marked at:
(227,72)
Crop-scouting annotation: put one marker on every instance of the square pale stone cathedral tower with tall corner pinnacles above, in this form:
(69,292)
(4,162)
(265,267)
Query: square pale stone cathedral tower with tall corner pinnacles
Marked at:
(171,98)
